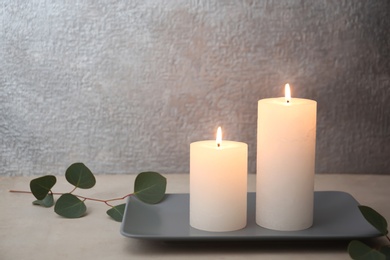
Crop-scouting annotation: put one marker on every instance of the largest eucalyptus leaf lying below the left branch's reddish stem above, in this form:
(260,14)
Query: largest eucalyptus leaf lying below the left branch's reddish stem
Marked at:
(69,206)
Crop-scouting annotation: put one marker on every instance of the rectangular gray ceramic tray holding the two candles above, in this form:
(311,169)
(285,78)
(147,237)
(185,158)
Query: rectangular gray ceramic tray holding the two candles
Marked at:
(336,216)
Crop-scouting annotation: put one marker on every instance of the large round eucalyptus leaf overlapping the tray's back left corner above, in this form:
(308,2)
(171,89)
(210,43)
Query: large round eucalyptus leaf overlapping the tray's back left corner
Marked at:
(150,187)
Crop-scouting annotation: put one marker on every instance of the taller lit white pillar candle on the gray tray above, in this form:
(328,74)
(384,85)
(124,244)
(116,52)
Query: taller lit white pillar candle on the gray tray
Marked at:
(286,134)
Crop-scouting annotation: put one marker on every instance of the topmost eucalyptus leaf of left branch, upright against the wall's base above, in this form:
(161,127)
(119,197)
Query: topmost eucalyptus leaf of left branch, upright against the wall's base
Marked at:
(80,176)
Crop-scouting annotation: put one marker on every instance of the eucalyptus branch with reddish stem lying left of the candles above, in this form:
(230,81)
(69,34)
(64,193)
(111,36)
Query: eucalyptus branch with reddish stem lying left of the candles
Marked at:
(149,187)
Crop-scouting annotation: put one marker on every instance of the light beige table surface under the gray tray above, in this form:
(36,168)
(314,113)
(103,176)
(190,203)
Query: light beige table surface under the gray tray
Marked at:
(32,232)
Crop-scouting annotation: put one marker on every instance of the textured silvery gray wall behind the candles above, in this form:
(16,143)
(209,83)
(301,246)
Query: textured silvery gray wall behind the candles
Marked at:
(126,86)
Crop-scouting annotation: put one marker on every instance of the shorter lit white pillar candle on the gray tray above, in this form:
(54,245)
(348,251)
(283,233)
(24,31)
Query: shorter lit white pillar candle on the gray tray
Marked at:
(218,185)
